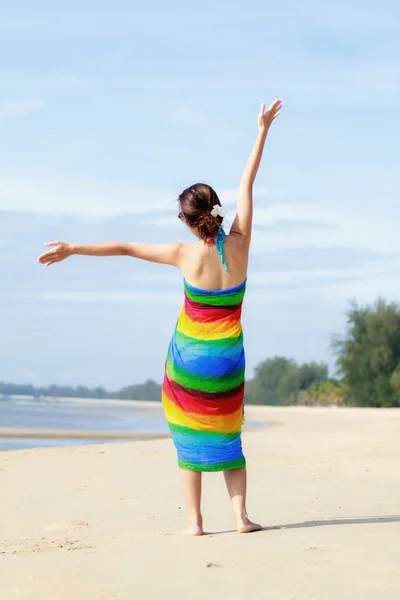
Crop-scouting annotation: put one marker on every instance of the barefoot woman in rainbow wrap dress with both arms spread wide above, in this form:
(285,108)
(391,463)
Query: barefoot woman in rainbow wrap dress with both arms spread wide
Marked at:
(203,387)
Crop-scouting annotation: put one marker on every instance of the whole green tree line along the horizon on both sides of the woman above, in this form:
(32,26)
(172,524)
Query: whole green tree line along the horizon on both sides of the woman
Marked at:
(367,370)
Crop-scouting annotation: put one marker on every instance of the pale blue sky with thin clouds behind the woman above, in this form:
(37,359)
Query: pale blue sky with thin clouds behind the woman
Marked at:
(109,109)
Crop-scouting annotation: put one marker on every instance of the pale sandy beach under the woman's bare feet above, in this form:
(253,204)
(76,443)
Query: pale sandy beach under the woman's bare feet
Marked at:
(102,522)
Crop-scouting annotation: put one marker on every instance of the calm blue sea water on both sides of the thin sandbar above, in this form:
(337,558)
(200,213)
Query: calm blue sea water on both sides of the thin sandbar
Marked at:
(73,416)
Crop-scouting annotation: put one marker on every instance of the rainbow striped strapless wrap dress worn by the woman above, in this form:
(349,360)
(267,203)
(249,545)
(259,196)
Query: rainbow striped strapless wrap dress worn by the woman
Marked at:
(203,387)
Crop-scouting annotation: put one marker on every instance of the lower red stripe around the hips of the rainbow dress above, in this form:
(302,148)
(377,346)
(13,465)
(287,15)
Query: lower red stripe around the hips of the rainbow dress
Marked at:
(203,403)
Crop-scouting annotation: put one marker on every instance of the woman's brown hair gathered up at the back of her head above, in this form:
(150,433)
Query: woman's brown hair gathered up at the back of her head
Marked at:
(196,204)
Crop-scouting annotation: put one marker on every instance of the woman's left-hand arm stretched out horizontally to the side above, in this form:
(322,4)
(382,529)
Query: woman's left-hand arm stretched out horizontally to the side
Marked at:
(169,254)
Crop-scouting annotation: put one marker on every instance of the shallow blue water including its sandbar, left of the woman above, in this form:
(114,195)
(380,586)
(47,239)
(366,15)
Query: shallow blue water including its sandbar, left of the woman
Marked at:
(66,421)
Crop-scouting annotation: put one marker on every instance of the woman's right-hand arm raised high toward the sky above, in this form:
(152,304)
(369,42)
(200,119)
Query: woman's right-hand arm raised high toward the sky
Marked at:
(244,214)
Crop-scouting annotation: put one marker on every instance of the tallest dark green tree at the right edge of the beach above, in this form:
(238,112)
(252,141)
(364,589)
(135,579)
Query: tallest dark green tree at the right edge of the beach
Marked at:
(369,354)
